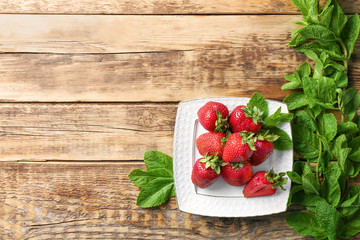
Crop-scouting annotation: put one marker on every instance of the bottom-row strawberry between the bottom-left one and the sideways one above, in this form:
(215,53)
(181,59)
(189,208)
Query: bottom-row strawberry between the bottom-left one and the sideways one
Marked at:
(237,174)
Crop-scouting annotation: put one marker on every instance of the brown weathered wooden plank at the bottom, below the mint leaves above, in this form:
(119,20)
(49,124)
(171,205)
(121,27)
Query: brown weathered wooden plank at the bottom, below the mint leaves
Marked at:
(97,201)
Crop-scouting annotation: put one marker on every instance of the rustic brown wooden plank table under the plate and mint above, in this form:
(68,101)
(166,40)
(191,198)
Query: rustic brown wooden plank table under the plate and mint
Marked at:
(88,86)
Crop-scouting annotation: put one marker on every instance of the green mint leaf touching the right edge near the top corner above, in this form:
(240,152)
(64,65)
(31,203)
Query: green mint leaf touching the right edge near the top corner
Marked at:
(350,33)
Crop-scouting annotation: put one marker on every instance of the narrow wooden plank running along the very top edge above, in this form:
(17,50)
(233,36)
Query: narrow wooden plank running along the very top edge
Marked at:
(160,7)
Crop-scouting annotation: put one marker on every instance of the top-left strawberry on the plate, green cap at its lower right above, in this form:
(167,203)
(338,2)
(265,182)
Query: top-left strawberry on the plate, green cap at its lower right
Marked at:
(213,117)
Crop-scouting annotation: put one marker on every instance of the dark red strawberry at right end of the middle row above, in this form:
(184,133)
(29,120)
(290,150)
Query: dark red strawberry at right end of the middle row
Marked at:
(264,148)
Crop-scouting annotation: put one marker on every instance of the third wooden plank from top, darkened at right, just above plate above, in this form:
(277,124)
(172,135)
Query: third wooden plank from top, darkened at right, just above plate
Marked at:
(151,77)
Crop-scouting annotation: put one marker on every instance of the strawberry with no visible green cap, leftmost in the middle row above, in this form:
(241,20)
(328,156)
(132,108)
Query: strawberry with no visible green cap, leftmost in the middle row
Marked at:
(210,143)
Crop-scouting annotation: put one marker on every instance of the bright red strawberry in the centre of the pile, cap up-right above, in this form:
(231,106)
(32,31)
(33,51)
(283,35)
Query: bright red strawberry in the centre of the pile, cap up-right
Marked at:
(238,147)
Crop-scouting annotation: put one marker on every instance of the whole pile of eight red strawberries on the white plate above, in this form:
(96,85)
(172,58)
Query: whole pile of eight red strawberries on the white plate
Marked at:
(232,146)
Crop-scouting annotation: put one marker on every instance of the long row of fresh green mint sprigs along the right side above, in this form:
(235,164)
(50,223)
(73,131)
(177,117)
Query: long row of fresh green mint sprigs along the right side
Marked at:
(327,38)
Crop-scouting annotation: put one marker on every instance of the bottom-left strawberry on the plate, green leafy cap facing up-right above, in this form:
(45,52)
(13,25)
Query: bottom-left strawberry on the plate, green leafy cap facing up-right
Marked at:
(206,171)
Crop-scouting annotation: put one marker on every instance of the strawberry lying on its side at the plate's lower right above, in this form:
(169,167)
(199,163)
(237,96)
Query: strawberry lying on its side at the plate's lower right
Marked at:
(264,184)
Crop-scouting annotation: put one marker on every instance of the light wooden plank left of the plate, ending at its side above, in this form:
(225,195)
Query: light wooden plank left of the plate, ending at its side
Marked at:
(84,131)
